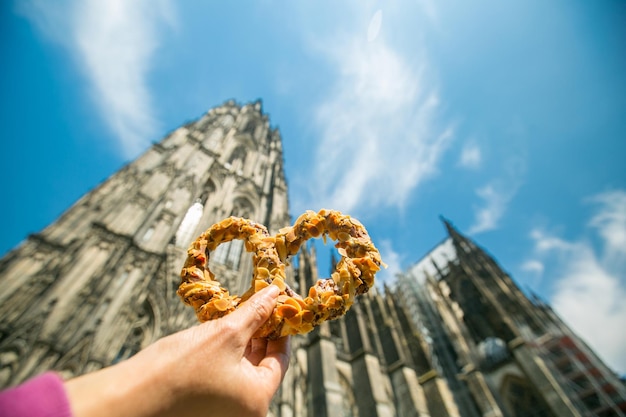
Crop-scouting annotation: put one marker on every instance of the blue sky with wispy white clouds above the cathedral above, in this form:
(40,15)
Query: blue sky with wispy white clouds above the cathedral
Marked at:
(507,118)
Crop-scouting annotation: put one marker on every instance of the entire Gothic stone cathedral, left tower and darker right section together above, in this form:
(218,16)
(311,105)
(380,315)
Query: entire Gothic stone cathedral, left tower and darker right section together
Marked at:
(453,336)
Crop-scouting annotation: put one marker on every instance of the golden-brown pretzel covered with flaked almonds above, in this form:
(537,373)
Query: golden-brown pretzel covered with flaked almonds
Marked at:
(327,299)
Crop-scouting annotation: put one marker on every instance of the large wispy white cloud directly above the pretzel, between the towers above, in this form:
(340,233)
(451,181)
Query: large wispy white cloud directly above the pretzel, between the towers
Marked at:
(379,133)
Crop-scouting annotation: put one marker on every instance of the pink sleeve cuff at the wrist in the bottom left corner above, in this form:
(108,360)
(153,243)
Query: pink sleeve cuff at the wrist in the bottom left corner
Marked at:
(42,396)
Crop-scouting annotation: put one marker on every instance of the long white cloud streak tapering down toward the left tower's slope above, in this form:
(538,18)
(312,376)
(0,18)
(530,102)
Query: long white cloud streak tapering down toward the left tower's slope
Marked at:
(113,42)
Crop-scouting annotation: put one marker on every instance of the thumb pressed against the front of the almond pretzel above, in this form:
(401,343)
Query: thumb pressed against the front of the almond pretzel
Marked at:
(254,312)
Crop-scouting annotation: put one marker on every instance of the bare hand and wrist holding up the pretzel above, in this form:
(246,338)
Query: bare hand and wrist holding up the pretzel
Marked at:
(213,369)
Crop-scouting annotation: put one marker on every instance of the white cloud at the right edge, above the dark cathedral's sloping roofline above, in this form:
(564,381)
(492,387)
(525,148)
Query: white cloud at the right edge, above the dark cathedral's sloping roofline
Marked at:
(590,288)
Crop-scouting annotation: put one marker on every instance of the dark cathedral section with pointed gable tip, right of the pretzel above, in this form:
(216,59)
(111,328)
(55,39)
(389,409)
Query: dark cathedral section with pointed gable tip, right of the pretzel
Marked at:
(501,352)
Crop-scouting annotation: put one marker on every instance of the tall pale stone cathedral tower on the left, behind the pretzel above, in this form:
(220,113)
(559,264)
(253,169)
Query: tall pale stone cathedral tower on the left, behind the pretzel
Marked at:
(100,283)
